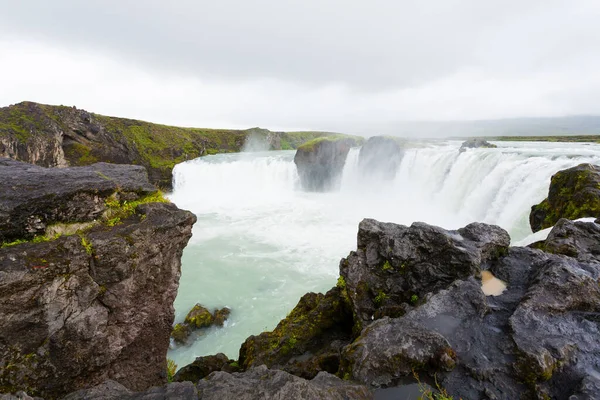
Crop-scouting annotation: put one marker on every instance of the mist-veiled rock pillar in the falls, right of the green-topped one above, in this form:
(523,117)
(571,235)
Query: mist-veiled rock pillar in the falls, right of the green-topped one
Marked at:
(380,157)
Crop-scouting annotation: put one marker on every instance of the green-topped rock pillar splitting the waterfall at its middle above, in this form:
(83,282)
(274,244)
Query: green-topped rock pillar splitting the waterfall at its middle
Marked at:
(320,162)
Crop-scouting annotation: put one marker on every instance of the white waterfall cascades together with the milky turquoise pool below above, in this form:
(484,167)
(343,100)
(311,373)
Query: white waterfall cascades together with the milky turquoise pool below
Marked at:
(261,242)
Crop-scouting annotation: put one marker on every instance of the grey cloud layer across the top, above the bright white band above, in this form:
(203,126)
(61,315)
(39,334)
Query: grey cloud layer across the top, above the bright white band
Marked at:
(367,45)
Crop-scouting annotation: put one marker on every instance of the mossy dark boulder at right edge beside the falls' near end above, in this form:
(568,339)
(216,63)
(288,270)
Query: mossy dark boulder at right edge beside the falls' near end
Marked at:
(574,193)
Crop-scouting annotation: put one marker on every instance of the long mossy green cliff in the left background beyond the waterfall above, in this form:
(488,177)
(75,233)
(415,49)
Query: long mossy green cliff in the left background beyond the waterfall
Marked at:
(59,136)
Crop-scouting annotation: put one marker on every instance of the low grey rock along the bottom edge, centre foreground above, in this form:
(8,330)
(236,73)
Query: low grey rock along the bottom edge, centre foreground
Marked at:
(263,383)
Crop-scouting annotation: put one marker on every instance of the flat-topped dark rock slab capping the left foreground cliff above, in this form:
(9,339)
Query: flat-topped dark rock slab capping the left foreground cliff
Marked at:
(34,197)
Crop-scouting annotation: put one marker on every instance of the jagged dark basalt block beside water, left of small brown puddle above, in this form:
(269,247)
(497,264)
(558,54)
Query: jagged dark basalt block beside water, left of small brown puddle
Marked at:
(395,265)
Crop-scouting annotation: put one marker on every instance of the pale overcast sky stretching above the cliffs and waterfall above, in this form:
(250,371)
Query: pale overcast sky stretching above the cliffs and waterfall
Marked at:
(328,64)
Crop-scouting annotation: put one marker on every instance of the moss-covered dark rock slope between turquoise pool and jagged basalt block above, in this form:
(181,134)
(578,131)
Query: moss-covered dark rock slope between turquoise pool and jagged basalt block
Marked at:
(307,341)
